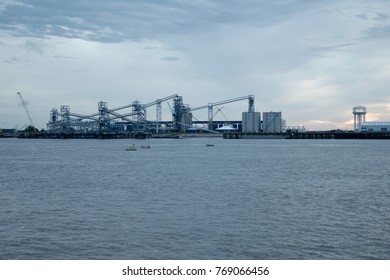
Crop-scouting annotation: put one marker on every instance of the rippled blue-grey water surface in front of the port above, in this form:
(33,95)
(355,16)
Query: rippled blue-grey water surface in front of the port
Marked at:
(239,199)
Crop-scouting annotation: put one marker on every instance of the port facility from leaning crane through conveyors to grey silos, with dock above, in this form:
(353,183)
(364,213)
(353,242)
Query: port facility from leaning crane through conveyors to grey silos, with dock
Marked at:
(131,120)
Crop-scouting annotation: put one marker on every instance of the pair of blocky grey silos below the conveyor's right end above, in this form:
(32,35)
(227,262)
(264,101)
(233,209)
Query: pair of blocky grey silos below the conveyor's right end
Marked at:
(272,122)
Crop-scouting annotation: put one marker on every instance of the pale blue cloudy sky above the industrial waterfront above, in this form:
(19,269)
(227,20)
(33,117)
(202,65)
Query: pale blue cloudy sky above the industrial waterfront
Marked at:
(312,60)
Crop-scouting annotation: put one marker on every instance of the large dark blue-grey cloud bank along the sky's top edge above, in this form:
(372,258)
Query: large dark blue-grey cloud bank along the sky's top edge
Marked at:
(134,20)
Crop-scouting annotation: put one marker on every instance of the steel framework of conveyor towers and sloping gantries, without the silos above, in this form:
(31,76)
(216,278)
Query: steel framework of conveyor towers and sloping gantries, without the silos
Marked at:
(113,119)
